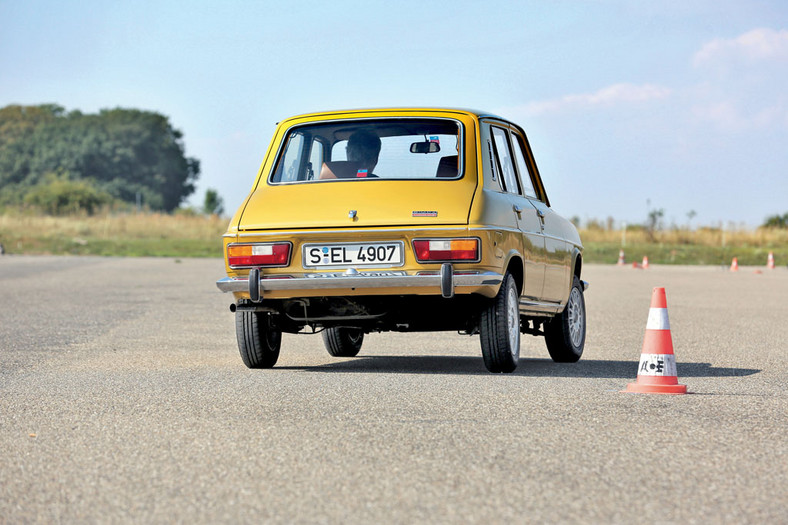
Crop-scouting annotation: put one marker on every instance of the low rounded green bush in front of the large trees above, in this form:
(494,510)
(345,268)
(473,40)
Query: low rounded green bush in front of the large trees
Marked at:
(60,196)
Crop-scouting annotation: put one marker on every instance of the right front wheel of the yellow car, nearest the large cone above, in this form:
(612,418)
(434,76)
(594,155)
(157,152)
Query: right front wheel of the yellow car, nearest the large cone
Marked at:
(565,335)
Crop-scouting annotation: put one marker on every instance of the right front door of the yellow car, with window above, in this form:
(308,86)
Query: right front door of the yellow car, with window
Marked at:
(557,258)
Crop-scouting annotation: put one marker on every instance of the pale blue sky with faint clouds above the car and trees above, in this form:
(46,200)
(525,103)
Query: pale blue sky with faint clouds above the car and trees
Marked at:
(629,106)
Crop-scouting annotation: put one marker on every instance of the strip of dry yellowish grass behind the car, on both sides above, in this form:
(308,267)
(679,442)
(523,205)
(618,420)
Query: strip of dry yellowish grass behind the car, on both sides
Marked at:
(165,235)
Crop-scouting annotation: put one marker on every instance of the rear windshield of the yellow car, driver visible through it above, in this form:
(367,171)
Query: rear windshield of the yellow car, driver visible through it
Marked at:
(366,150)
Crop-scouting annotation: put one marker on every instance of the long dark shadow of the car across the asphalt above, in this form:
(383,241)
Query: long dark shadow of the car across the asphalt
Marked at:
(467,365)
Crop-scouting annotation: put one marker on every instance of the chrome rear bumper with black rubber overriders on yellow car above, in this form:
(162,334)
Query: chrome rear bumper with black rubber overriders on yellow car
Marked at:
(443,282)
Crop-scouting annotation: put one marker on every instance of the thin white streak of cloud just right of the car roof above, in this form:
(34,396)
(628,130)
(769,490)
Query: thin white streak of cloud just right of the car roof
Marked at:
(610,96)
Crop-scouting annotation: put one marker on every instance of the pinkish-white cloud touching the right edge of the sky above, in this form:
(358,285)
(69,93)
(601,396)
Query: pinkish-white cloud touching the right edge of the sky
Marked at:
(756,45)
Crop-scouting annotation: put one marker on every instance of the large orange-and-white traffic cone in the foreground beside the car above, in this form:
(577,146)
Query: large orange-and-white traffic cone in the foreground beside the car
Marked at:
(657,368)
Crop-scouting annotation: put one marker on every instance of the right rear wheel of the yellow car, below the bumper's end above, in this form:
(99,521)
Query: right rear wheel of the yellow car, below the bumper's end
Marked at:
(499,329)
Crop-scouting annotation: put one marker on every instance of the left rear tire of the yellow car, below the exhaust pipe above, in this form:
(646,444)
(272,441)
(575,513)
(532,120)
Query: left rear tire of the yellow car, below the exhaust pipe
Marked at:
(258,343)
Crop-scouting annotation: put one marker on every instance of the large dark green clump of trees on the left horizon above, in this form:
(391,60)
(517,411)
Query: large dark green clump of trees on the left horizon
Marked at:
(122,152)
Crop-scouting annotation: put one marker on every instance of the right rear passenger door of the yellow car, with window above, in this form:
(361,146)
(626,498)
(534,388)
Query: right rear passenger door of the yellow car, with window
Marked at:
(528,221)
